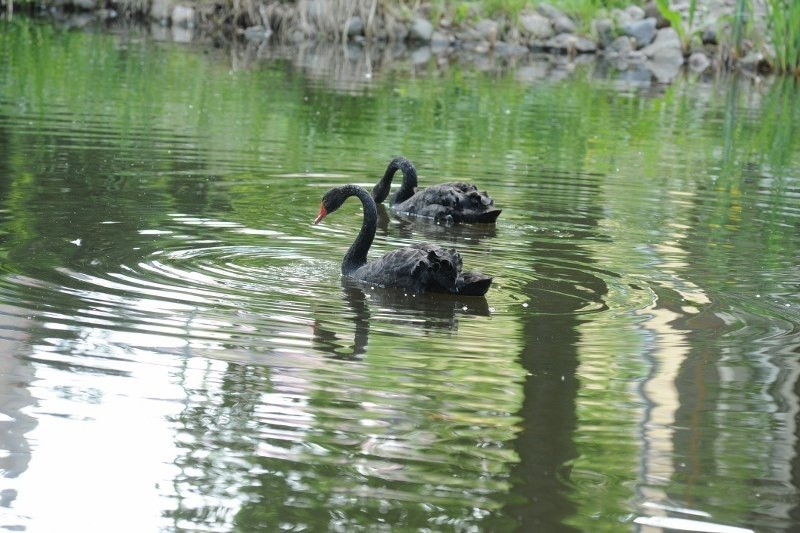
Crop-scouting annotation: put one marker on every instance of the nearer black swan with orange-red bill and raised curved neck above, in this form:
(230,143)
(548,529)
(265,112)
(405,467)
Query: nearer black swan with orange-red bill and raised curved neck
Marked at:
(418,268)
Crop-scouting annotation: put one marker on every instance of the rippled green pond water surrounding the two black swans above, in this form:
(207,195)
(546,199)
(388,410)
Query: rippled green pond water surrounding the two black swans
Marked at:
(179,351)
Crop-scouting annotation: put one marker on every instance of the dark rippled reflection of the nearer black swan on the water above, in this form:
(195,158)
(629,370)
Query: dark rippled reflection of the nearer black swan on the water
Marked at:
(366,304)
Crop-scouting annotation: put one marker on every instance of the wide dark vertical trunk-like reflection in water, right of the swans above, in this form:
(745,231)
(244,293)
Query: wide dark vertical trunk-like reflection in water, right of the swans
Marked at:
(558,293)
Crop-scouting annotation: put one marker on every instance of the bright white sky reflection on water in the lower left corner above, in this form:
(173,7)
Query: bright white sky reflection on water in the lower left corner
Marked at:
(99,458)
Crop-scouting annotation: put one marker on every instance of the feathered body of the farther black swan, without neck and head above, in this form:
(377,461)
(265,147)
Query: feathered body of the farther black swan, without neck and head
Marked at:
(451,202)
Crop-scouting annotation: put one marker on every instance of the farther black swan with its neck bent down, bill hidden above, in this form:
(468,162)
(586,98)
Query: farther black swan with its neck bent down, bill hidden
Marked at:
(449,202)
